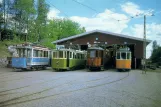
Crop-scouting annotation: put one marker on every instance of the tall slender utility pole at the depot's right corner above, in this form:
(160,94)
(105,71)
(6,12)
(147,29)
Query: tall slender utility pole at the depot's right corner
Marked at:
(144,44)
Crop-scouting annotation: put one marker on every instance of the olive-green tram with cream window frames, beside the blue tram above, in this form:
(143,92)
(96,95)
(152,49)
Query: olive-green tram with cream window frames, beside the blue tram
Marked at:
(68,59)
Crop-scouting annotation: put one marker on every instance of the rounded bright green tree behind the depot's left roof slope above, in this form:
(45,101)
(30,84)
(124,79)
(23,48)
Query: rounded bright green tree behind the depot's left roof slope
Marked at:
(61,28)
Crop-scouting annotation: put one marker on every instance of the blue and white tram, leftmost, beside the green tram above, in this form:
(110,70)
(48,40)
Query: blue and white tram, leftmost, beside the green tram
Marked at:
(31,57)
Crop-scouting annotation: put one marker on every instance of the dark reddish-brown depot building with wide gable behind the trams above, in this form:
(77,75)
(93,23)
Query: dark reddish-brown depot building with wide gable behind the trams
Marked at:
(109,40)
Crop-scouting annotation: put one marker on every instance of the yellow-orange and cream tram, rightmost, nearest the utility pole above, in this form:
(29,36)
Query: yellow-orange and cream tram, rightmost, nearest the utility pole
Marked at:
(123,59)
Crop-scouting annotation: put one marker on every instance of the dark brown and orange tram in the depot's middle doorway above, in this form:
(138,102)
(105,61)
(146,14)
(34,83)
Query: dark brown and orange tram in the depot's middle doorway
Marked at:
(95,58)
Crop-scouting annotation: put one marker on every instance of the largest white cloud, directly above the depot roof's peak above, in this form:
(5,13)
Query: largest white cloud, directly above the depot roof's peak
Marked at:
(106,20)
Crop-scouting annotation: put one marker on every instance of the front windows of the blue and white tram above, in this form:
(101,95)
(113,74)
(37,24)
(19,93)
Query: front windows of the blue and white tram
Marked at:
(24,52)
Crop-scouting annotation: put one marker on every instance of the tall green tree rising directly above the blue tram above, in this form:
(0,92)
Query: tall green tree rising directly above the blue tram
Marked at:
(25,15)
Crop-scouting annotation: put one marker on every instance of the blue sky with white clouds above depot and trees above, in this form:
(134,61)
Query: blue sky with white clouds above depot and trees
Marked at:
(108,12)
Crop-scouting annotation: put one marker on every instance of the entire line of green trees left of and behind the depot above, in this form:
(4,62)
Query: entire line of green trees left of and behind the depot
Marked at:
(27,20)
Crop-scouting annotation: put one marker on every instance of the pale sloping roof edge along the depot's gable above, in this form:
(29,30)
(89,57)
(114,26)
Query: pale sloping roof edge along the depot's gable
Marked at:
(98,31)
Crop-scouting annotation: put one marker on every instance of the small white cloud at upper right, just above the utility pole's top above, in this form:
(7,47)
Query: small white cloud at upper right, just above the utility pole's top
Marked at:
(131,8)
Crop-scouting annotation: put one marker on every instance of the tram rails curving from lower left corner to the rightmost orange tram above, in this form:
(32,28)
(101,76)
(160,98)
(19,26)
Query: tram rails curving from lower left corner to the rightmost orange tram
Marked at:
(4,103)
